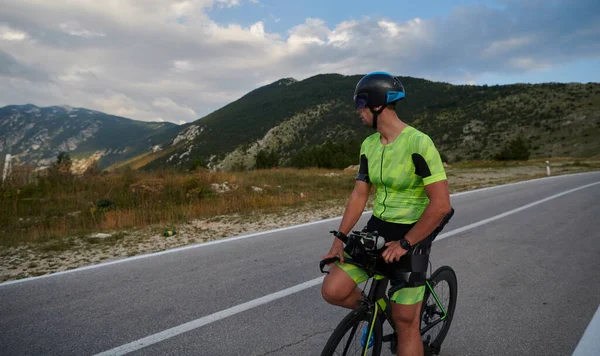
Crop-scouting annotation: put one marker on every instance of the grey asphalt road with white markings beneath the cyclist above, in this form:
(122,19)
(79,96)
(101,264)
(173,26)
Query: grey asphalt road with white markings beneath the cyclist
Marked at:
(528,285)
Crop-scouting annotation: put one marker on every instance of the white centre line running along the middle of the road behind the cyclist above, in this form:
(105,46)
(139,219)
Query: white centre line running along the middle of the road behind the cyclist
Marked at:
(163,335)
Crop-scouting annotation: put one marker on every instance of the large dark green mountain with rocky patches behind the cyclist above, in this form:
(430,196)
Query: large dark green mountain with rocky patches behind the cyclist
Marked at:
(292,117)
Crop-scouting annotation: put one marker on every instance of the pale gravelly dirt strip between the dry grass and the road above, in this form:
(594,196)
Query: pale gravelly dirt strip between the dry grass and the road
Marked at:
(33,260)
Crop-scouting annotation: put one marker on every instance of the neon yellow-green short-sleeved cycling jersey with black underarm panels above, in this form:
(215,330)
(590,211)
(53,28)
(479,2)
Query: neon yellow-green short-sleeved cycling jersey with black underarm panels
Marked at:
(400,170)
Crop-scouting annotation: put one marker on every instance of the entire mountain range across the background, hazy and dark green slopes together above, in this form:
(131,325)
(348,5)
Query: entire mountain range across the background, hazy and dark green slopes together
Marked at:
(296,123)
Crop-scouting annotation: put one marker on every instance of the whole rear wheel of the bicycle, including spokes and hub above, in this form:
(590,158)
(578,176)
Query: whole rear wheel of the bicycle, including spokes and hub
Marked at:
(437,309)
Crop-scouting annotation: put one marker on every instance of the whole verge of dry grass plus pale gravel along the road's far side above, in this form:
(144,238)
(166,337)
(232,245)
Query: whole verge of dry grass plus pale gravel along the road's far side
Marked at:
(56,239)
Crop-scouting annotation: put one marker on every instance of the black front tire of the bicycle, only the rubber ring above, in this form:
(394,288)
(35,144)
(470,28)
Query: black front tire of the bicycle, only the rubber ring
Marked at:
(353,321)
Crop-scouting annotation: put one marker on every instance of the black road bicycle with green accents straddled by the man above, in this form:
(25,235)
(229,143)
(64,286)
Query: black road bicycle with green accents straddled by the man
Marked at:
(361,331)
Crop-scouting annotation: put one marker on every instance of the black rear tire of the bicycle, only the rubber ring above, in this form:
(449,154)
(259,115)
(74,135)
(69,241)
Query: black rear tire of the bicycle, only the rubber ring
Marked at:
(442,274)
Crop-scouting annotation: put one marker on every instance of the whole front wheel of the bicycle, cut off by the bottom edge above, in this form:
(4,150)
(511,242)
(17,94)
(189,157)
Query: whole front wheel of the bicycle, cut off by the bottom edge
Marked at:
(350,336)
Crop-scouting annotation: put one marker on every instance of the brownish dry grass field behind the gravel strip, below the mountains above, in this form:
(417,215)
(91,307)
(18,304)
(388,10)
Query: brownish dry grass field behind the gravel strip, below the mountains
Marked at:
(56,207)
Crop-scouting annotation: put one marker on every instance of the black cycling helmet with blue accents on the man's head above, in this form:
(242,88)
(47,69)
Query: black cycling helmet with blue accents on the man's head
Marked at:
(377,89)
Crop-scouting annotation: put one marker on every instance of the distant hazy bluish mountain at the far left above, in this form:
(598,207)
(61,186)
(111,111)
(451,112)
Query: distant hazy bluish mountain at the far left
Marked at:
(36,135)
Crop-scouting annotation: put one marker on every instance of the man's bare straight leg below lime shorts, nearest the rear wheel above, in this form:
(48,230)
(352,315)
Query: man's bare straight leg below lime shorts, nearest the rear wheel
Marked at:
(407,320)
